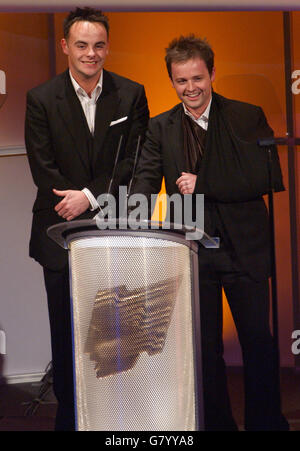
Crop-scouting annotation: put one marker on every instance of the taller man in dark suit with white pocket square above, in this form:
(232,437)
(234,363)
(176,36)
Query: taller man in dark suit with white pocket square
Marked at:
(73,127)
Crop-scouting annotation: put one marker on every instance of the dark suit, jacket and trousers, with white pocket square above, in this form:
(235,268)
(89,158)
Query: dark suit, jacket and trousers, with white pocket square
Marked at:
(63,155)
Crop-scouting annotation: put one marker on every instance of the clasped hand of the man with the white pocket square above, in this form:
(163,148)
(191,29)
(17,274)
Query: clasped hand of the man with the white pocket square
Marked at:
(73,204)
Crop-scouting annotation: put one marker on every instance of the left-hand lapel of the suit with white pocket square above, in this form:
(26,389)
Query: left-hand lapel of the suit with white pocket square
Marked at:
(73,117)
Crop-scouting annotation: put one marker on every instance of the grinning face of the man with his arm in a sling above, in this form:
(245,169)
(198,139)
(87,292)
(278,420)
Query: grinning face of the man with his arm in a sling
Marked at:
(193,84)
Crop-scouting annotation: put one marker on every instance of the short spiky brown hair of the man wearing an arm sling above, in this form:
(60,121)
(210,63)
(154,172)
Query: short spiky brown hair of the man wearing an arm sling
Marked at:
(187,47)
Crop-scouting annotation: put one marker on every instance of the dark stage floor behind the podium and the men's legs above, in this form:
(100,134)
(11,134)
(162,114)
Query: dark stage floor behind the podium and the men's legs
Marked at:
(32,406)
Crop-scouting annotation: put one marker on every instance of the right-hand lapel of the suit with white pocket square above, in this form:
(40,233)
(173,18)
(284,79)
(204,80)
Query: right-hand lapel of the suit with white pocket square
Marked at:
(107,105)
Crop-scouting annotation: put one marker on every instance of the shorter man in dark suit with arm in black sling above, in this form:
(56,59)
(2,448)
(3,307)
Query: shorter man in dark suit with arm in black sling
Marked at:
(208,144)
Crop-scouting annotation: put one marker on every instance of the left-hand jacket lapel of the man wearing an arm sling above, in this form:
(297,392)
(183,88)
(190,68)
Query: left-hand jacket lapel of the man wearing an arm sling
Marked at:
(175,139)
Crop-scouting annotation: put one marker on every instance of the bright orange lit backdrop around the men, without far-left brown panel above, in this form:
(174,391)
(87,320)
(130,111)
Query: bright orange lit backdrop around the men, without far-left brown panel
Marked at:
(249,60)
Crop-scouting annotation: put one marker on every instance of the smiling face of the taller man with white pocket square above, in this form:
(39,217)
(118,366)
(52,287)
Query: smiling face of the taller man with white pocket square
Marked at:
(87,48)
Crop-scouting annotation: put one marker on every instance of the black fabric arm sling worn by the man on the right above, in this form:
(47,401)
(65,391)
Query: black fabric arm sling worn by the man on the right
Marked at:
(233,170)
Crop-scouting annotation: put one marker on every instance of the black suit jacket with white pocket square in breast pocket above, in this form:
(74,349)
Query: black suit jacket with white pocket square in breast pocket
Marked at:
(56,135)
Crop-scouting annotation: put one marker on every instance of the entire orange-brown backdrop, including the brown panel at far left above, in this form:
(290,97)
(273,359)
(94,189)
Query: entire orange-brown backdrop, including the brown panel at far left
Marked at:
(249,60)
